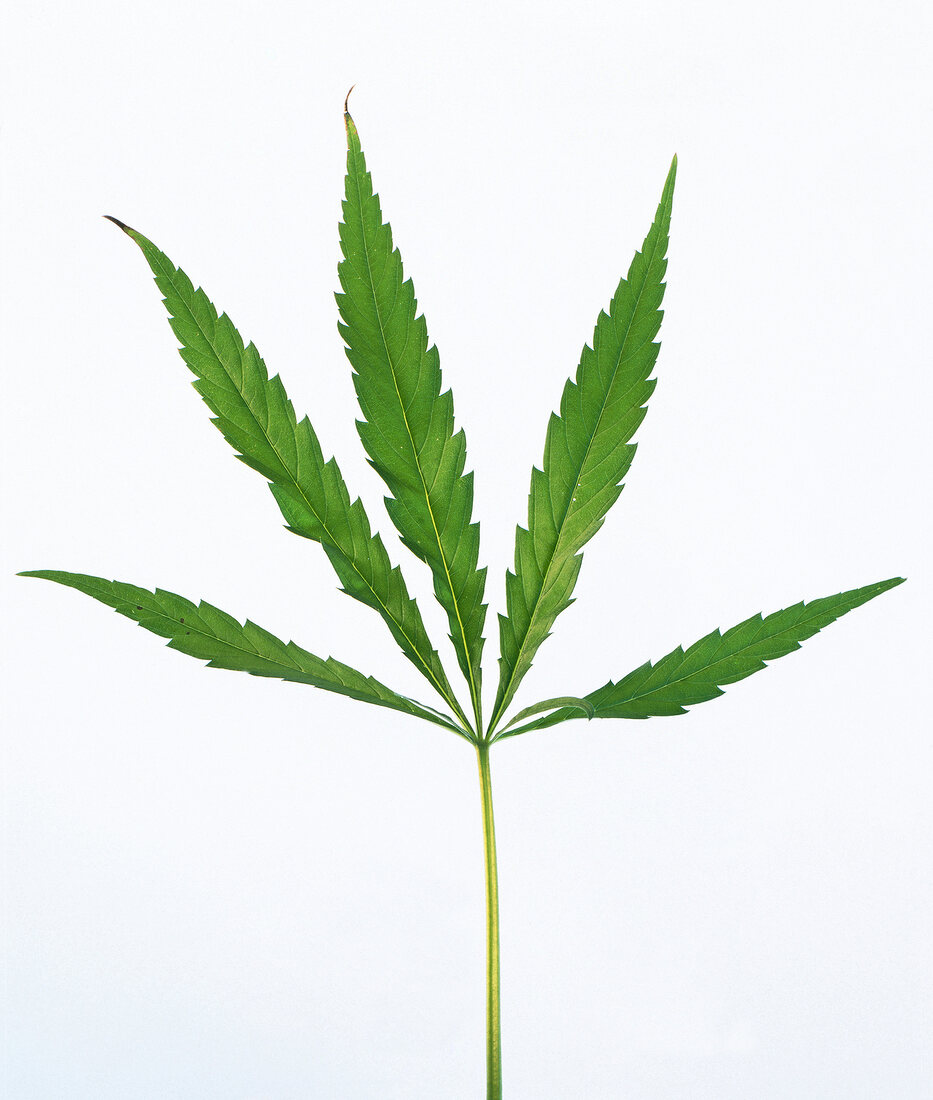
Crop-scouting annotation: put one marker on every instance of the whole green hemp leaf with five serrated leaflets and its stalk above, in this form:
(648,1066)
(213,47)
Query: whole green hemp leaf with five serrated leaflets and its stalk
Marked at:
(410,434)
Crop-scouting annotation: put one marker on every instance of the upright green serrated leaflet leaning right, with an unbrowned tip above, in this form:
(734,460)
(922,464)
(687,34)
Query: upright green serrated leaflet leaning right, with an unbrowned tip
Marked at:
(587,455)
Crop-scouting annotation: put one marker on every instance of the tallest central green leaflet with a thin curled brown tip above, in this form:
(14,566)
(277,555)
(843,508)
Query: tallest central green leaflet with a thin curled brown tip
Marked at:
(409,428)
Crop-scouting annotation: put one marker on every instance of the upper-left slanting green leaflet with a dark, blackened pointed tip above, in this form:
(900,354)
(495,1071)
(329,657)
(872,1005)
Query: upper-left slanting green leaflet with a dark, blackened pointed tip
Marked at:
(256,416)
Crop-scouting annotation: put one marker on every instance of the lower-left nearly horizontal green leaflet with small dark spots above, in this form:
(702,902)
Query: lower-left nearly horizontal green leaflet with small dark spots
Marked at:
(212,635)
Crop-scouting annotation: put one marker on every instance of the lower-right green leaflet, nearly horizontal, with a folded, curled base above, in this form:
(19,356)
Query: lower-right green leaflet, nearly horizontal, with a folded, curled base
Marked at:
(685,678)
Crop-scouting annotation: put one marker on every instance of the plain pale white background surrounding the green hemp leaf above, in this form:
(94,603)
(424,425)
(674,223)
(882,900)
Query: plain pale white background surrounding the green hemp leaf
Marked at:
(223,887)
